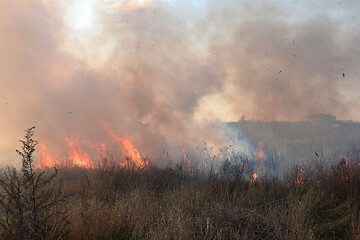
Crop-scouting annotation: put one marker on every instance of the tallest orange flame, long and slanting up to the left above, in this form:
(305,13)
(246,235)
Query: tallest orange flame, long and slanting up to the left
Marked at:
(131,151)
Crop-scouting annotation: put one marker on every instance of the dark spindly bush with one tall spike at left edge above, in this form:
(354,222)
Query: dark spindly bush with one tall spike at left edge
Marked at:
(31,201)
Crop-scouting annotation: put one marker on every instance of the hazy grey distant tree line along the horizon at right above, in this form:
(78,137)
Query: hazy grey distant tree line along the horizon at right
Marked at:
(322,127)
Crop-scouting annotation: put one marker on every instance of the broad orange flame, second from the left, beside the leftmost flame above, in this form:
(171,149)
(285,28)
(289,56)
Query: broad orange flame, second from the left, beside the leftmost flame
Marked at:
(77,156)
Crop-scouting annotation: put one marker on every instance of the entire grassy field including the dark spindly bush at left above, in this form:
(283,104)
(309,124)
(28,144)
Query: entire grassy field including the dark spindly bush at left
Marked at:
(238,200)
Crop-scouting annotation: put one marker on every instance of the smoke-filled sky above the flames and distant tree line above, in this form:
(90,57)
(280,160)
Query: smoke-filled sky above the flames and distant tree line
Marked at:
(161,72)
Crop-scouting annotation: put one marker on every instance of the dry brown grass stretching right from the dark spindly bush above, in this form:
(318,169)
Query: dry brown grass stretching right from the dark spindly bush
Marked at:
(151,203)
